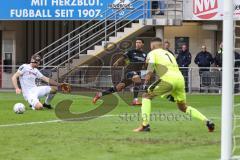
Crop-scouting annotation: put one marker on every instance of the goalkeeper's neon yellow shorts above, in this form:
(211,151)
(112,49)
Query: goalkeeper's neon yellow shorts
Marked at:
(169,86)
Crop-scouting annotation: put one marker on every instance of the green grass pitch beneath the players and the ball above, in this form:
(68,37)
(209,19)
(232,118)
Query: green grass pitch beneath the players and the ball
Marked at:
(108,137)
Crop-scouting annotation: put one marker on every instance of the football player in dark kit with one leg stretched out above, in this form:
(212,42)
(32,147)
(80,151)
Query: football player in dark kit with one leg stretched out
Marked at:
(135,60)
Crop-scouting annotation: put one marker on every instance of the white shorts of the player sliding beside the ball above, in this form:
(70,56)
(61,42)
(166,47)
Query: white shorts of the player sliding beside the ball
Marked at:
(35,93)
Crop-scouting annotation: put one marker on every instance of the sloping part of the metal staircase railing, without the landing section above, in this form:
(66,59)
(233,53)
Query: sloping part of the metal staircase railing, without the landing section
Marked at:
(80,40)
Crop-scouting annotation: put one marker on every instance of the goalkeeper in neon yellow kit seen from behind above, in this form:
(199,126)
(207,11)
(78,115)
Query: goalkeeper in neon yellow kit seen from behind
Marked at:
(170,82)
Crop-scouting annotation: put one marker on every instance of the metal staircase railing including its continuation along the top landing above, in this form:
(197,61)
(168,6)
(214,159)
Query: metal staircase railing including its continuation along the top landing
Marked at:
(85,37)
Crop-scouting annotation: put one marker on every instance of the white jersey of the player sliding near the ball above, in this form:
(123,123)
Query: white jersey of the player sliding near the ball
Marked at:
(28,76)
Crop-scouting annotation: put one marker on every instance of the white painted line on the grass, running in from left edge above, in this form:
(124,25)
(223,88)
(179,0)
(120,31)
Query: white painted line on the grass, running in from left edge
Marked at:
(53,121)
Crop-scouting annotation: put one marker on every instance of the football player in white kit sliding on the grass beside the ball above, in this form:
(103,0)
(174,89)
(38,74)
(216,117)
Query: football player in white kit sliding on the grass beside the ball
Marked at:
(27,74)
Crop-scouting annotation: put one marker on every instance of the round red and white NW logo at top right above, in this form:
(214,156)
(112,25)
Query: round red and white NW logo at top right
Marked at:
(205,9)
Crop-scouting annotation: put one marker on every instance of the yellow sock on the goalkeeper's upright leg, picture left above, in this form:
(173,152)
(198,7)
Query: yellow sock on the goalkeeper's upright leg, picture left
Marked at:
(146,110)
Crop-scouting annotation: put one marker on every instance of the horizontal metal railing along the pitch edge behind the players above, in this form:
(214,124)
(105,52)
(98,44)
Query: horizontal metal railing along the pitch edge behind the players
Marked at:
(206,80)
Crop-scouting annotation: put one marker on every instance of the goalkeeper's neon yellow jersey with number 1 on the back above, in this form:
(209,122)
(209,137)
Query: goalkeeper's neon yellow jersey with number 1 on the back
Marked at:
(164,63)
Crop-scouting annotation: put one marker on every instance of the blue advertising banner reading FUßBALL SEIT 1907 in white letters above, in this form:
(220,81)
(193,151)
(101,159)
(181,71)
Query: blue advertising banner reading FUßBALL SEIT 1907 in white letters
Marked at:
(66,9)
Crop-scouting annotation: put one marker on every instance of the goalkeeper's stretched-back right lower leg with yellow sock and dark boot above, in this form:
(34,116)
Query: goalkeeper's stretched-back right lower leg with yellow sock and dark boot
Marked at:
(196,114)
